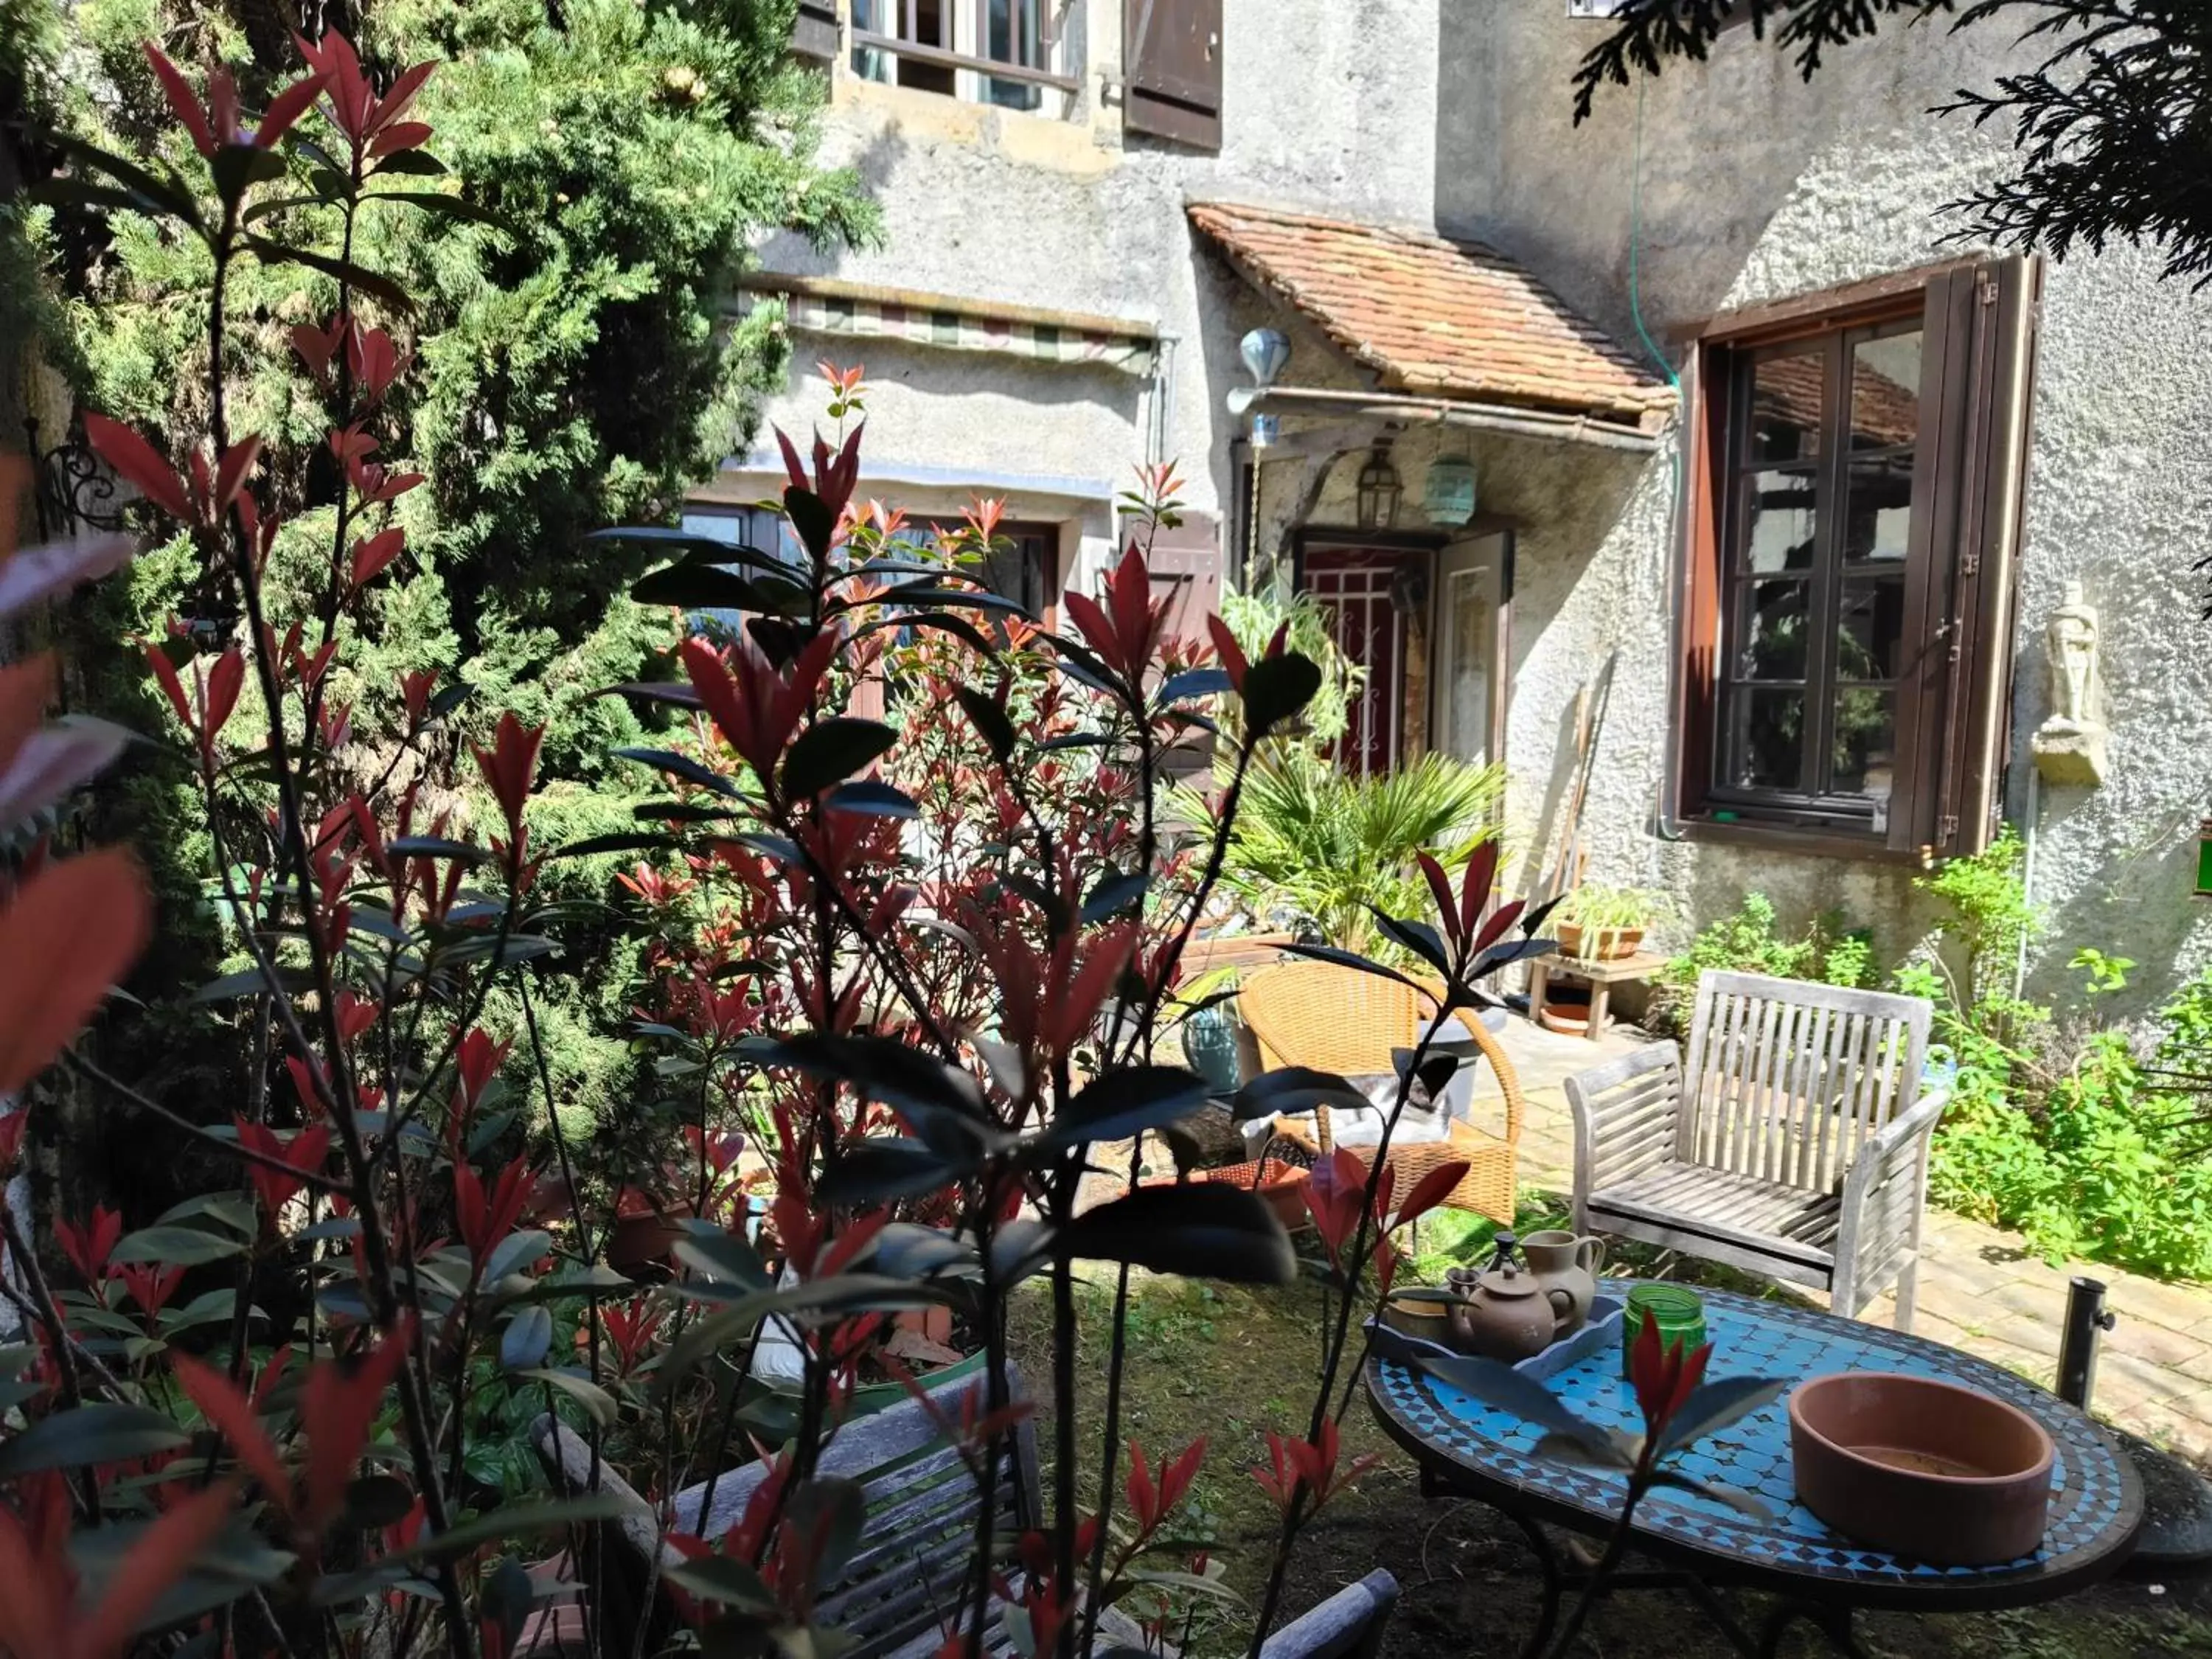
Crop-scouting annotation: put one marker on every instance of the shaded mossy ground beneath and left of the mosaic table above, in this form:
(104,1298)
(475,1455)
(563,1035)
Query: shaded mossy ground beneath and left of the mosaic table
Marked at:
(1233,1364)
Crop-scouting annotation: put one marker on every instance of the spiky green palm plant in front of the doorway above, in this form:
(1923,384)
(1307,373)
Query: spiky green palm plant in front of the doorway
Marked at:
(1319,848)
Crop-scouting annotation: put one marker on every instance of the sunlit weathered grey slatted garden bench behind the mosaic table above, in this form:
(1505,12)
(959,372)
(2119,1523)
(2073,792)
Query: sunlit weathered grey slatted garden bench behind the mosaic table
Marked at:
(1793,1140)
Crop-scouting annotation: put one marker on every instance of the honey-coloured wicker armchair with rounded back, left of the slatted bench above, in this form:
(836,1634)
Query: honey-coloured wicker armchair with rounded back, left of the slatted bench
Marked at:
(1337,1019)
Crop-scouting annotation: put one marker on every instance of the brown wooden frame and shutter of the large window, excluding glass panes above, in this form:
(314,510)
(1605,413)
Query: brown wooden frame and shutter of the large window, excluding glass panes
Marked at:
(1970,457)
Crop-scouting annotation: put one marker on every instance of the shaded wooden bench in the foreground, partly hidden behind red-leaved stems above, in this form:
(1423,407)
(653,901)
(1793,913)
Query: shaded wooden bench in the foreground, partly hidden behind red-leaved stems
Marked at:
(912,1565)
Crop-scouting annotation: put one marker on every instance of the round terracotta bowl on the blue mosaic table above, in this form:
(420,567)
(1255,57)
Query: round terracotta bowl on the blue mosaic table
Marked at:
(1921,1468)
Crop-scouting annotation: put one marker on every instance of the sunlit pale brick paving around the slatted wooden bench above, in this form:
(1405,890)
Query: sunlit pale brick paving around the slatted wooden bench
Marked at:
(1981,1288)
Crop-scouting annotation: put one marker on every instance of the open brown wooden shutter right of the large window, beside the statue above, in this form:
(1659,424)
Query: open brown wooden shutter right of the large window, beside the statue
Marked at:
(1968,503)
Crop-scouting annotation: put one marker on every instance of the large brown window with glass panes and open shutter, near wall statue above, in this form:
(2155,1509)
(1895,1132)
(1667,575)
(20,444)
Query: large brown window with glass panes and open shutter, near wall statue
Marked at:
(1853,523)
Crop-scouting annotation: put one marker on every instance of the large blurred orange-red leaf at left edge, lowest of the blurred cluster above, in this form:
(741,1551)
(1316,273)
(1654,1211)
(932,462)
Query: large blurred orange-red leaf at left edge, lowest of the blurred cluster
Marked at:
(74,930)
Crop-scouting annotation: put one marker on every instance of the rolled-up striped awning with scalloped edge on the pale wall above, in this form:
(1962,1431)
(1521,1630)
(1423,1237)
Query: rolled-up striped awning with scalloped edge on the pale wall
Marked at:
(868,311)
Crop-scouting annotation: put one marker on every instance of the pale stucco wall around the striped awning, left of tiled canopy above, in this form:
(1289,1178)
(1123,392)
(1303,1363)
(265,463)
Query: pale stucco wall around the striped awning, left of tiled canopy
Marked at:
(1322,112)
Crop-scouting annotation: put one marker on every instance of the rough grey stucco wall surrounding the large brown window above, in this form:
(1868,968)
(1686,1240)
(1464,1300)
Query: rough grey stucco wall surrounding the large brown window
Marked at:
(1757,187)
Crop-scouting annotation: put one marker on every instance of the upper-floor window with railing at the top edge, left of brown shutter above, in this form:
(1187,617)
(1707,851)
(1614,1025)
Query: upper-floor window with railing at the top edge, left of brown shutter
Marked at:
(988,52)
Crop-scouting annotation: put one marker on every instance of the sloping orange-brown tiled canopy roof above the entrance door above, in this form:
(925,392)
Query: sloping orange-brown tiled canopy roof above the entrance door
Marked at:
(1437,317)
